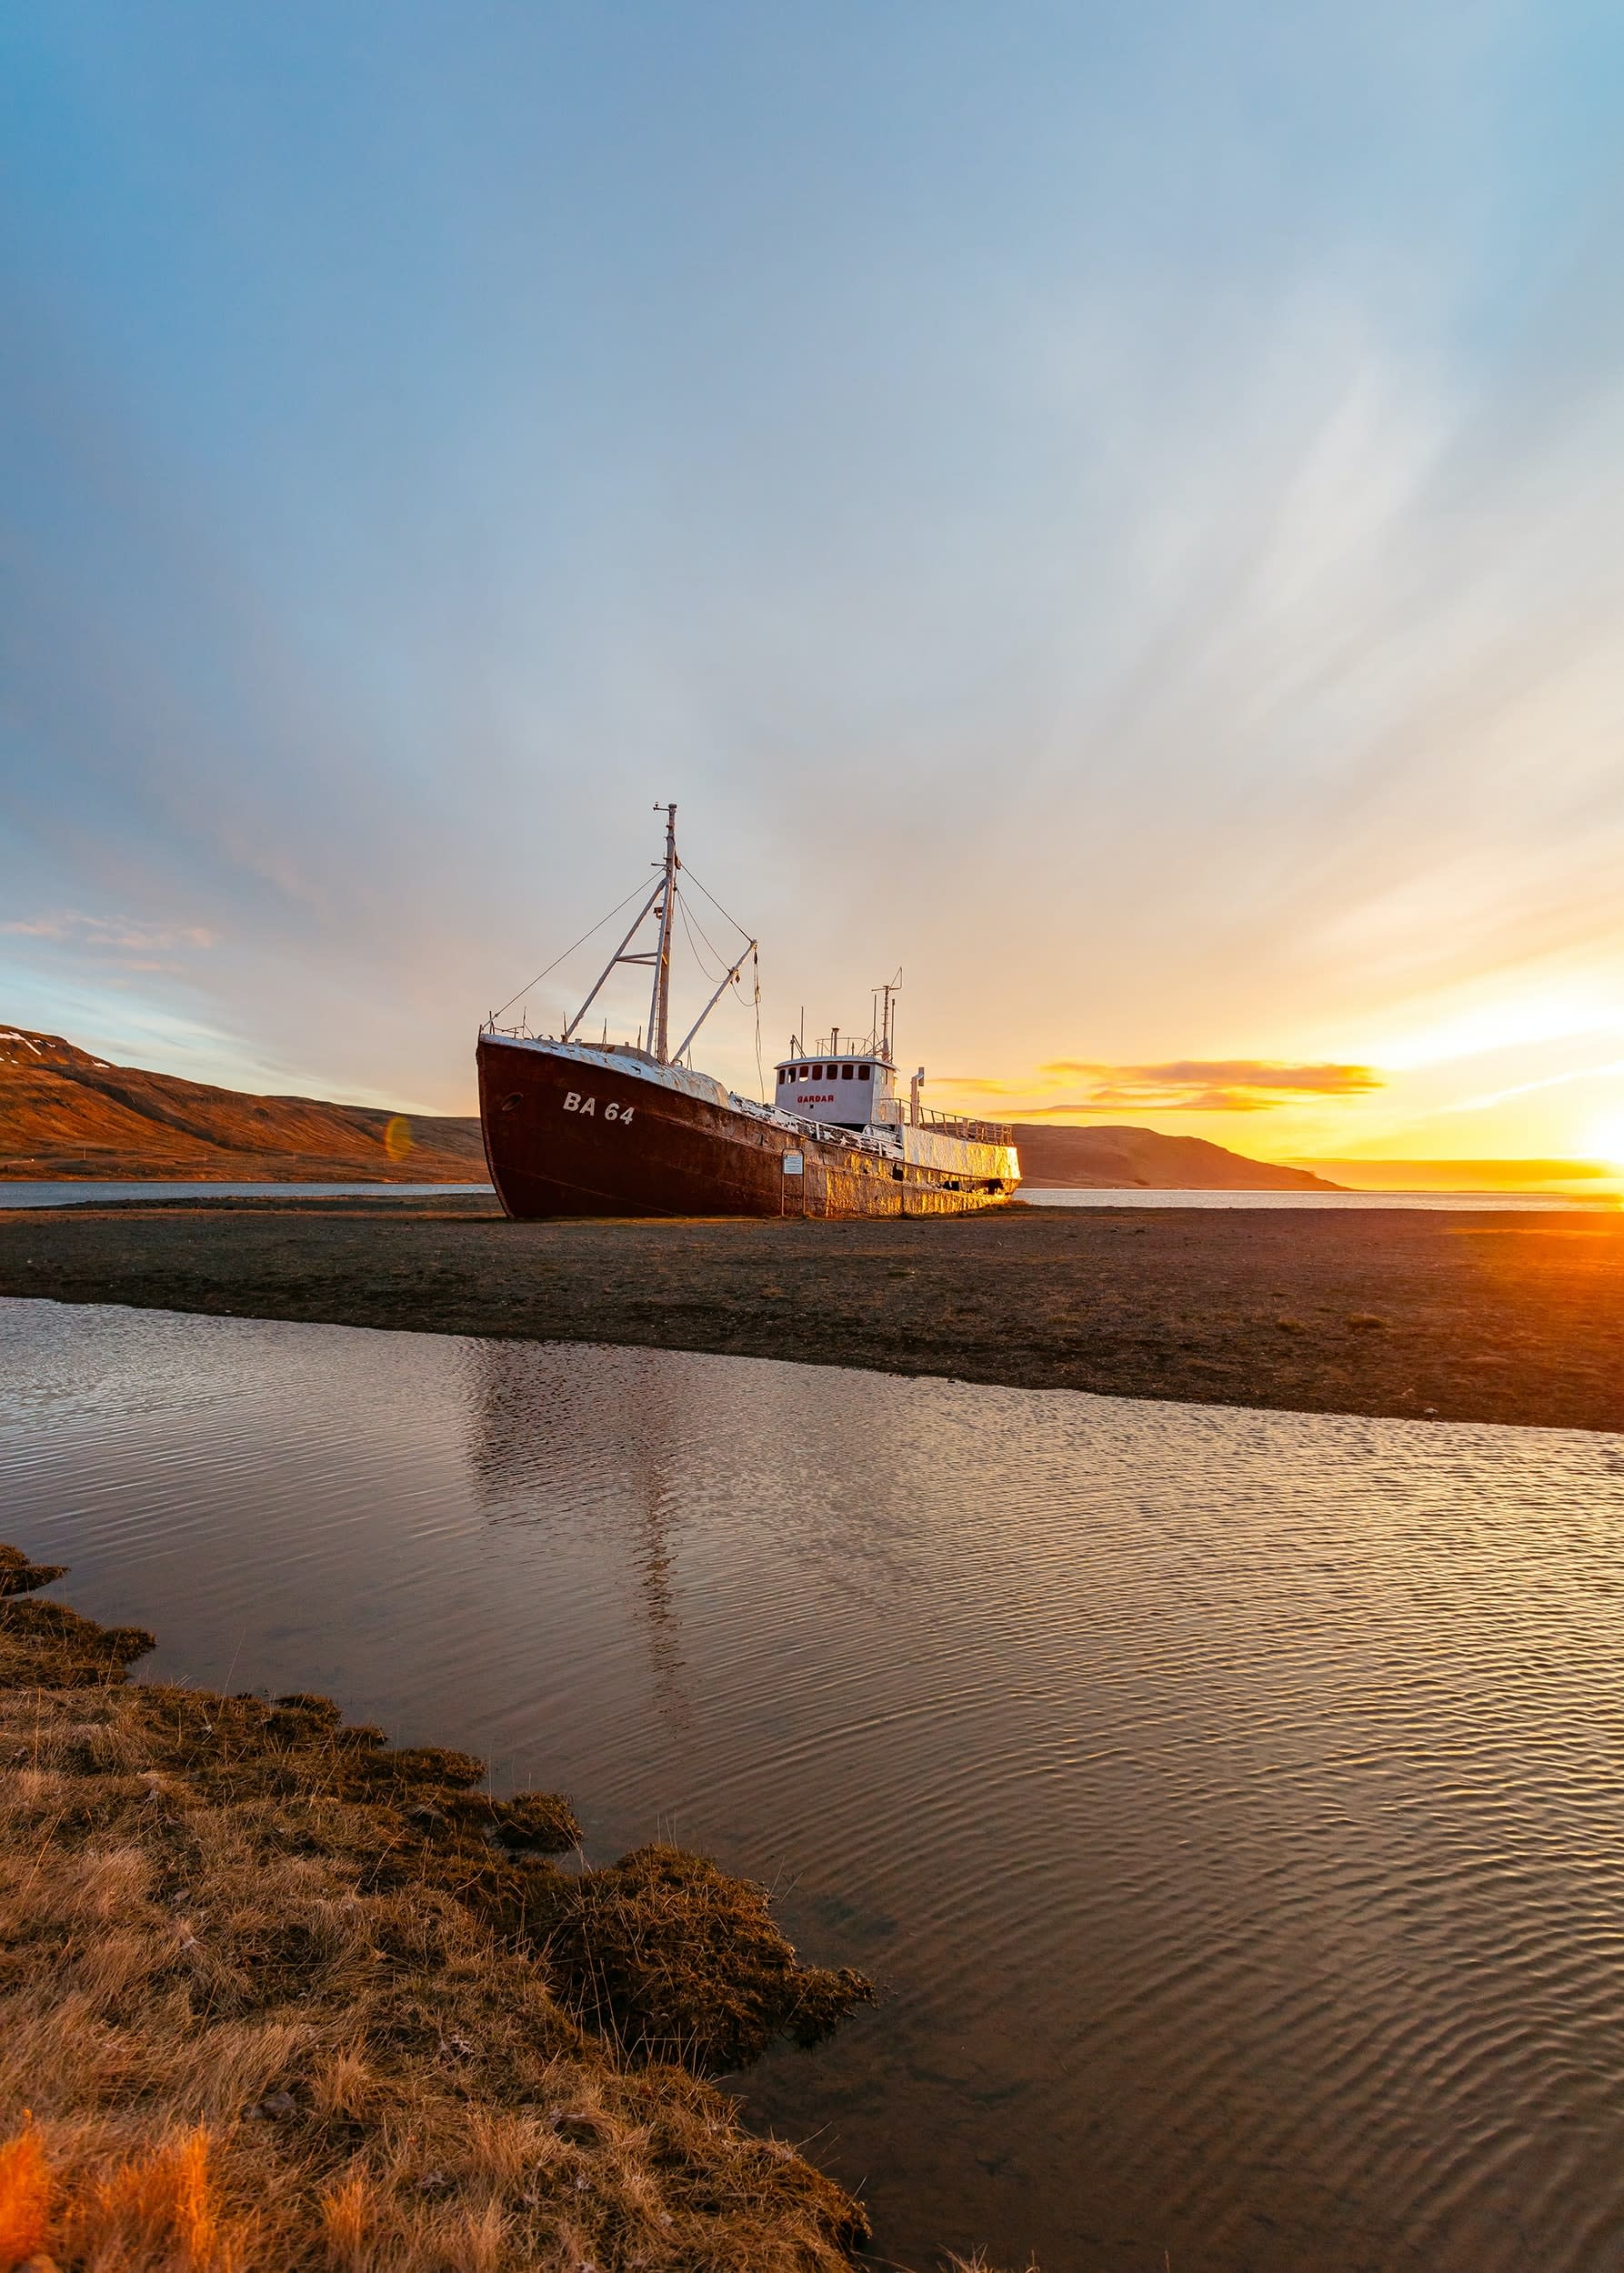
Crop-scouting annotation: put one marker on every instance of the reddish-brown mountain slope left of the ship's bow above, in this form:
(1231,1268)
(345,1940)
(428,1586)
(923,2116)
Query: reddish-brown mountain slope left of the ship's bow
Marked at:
(72,1115)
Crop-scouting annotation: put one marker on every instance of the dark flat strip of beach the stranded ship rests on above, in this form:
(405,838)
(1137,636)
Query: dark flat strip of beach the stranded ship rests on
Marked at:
(1505,1317)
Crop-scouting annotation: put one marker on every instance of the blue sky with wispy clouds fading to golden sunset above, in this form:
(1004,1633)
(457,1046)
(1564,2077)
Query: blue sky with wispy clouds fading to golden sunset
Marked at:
(1116,513)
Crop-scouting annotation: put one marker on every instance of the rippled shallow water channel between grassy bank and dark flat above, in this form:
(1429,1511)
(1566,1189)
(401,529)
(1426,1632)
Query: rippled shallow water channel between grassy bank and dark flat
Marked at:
(1232,1804)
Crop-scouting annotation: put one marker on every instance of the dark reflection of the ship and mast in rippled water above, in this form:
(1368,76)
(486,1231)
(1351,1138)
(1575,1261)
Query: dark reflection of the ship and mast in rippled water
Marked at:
(527,1410)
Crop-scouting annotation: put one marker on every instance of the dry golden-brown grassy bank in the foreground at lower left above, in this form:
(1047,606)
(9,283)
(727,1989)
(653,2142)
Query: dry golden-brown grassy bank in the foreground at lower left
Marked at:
(279,1997)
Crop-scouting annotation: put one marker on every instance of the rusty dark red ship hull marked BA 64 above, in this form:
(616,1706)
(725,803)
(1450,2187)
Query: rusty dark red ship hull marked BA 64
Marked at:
(608,1133)
